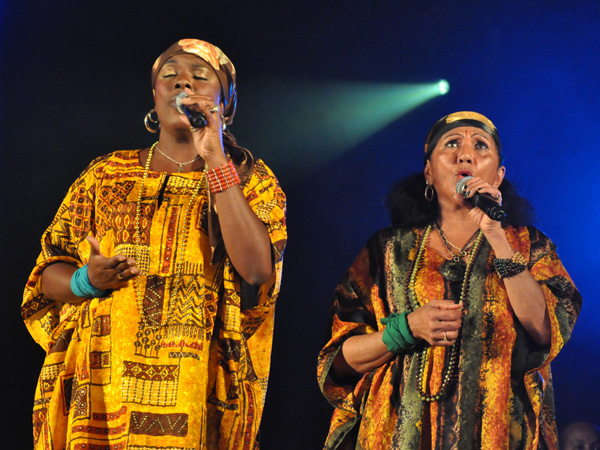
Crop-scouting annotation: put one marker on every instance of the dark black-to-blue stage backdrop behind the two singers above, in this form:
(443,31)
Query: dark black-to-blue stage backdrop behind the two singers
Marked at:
(75,82)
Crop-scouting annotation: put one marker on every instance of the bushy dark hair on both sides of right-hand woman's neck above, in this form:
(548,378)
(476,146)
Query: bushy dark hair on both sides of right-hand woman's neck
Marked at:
(408,207)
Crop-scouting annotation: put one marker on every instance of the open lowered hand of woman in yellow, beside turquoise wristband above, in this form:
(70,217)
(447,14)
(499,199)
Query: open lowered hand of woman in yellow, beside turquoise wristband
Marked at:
(109,273)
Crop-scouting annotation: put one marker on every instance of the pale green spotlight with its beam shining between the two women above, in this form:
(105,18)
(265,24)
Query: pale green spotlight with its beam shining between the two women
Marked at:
(307,123)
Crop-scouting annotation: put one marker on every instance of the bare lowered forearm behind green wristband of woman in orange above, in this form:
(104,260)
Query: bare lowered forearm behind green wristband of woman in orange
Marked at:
(361,354)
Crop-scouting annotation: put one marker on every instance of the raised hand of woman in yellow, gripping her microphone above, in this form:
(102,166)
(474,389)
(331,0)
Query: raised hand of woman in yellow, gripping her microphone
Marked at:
(208,140)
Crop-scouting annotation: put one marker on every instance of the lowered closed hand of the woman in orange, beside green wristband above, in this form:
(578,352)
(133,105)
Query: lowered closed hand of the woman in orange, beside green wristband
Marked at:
(437,322)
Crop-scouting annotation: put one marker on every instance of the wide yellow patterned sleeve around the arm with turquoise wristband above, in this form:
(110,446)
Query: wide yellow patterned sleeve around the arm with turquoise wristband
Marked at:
(61,242)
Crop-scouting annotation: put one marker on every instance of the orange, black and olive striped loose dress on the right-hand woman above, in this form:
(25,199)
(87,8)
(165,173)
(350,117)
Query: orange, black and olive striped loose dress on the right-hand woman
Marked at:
(500,396)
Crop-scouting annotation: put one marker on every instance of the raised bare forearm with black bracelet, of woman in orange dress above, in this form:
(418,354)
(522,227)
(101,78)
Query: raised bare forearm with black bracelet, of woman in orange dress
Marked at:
(525,295)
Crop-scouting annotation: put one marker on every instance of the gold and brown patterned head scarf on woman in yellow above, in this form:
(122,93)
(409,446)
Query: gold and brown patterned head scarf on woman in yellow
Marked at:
(219,62)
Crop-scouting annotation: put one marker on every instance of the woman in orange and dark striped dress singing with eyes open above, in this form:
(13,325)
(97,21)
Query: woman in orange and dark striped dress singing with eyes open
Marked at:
(443,329)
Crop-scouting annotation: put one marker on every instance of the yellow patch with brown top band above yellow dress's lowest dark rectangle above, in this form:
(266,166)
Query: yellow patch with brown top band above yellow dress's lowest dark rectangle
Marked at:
(150,385)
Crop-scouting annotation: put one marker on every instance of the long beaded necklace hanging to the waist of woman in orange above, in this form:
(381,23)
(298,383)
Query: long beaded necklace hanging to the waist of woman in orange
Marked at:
(413,304)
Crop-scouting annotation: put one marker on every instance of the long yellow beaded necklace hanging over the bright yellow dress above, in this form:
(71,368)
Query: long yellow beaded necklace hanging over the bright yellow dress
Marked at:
(138,252)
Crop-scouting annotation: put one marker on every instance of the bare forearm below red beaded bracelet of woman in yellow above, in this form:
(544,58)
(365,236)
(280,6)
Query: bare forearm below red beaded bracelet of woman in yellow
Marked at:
(246,238)
